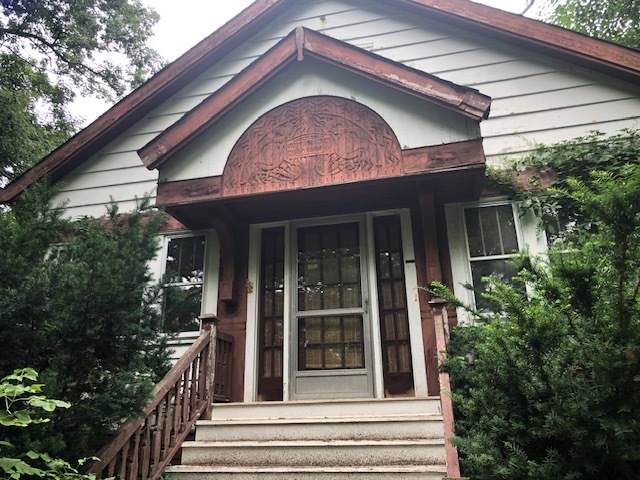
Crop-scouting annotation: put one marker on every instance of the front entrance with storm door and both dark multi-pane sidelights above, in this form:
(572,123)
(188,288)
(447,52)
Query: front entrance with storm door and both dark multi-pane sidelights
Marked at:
(333,312)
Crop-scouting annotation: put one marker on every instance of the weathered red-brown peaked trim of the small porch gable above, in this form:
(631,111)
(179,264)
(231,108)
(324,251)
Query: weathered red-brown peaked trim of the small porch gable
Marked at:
(300,44)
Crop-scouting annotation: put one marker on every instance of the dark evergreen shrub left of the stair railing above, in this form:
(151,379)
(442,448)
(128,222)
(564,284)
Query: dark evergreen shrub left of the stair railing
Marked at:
(77,305)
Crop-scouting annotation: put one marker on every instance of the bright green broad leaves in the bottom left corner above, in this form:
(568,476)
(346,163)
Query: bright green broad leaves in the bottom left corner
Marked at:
(21,399)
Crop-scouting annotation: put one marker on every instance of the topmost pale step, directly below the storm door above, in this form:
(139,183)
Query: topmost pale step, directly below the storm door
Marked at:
(327,408)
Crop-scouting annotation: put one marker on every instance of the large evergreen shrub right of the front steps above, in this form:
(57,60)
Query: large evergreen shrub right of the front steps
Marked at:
(549,387)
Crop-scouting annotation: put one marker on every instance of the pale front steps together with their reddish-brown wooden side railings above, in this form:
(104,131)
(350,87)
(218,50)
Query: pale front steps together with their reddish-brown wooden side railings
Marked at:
(334,439)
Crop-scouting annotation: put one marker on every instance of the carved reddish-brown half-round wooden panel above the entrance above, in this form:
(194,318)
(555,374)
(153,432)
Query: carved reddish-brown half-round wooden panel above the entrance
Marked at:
(309,142)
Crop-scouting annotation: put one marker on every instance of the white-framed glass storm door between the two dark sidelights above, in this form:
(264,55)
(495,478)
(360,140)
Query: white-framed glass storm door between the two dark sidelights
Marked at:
(330,331)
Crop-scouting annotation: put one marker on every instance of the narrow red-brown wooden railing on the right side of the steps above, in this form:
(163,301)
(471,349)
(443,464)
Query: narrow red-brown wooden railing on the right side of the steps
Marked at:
(441,322)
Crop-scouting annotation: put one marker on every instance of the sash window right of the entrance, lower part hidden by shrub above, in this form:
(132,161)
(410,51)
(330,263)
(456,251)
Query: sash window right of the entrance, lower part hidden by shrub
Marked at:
(492,239)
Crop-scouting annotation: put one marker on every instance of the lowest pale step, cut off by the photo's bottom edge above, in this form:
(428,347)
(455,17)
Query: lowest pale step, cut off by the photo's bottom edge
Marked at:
(410,472)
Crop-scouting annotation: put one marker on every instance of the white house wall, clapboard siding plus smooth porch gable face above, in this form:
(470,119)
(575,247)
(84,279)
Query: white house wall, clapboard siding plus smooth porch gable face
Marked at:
(536,100)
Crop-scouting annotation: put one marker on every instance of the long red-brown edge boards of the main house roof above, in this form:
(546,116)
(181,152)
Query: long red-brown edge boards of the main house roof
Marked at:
(580,49)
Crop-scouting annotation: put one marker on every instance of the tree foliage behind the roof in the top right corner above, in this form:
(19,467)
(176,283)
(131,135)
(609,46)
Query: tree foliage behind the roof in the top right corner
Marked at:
(613,20)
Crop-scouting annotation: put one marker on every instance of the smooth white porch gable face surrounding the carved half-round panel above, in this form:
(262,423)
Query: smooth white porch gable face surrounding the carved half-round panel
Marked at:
(416,123)
